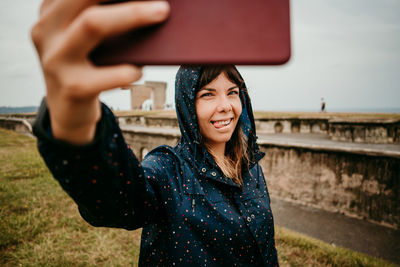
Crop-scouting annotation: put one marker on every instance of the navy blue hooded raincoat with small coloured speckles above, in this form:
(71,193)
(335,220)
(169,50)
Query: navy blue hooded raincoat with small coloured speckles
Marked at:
(191,214)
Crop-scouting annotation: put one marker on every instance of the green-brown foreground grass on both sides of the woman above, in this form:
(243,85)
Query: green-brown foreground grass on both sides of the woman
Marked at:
(40,224)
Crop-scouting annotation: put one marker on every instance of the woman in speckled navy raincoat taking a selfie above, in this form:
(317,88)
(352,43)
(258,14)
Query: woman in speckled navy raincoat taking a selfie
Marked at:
(203,202)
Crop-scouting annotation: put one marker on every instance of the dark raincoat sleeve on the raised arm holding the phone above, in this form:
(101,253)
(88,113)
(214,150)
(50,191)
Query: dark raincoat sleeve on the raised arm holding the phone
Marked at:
(104,178)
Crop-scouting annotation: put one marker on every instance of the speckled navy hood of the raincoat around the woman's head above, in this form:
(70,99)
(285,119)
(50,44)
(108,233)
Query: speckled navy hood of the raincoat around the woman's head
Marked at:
(186,83)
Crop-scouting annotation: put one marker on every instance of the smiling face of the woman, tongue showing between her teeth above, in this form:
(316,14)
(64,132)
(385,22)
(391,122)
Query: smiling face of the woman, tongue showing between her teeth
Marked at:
(218,108)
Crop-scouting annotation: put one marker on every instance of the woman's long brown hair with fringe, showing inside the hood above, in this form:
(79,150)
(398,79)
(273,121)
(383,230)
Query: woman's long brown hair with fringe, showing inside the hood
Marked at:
(237,157)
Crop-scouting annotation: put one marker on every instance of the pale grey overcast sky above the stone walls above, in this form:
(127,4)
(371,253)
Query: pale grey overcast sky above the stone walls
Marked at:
(347,51)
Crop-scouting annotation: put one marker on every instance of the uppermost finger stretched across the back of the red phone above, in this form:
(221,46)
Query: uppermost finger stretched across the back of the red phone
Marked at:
(97,23)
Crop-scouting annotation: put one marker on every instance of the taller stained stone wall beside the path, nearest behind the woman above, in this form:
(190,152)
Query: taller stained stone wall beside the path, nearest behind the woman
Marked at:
(360,180)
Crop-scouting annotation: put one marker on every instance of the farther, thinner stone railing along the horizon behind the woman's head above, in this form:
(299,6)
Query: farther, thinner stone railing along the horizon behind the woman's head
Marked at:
(359,131)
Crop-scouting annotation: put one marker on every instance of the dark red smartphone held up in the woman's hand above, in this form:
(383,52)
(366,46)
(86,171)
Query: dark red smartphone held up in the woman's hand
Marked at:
(255,32)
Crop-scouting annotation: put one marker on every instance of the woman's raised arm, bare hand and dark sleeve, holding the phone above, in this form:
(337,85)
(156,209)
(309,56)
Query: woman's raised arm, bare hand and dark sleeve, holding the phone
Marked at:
(78,137)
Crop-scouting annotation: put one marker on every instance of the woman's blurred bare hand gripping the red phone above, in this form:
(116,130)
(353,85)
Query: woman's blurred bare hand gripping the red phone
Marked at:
(65,34)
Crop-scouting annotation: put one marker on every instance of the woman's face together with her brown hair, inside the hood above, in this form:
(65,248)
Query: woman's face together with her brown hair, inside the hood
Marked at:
(218,109)
